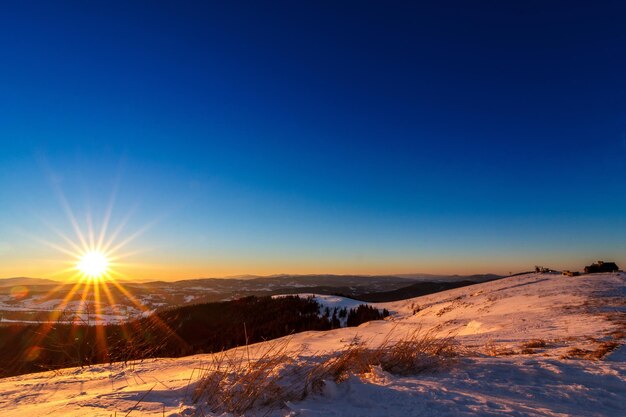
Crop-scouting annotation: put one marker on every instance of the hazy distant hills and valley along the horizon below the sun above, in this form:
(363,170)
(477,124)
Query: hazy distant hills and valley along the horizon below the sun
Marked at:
(122,300)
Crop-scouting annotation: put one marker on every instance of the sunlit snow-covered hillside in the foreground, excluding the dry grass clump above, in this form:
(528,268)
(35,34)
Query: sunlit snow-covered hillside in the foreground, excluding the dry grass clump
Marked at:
(528,344)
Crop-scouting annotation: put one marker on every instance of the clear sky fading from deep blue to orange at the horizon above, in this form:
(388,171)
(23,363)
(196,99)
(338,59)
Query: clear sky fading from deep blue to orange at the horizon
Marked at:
(314,137)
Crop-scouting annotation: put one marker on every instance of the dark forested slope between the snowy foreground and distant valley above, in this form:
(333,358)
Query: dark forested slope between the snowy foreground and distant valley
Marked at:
(172,332)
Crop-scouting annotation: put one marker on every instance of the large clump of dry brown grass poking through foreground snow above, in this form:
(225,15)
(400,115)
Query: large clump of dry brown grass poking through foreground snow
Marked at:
(234,383)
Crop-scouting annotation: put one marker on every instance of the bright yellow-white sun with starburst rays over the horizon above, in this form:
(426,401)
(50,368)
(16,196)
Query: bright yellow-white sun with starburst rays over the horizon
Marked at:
(92,291)
